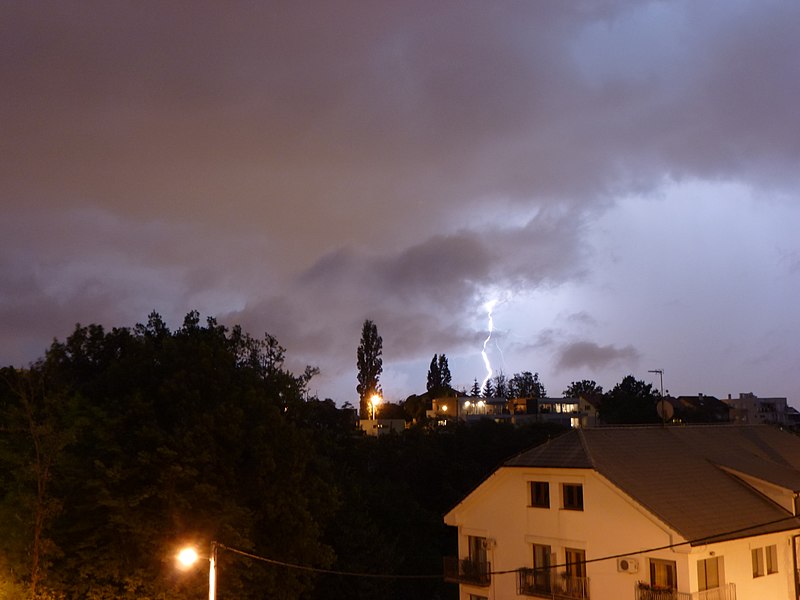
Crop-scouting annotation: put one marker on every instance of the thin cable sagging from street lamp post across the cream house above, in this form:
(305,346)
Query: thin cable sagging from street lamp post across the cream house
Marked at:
(697,541)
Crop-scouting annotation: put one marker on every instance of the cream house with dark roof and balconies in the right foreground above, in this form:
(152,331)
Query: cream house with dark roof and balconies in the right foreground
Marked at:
(636,513)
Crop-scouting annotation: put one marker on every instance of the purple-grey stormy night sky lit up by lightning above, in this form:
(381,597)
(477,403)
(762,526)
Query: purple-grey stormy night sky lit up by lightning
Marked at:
(621,177)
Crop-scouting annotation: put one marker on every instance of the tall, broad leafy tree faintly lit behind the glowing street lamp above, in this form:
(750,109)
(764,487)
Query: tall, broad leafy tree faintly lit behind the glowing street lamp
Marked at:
(143,439)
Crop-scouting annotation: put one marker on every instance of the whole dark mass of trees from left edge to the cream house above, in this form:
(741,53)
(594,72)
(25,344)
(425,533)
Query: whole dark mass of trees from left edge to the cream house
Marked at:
(118,447)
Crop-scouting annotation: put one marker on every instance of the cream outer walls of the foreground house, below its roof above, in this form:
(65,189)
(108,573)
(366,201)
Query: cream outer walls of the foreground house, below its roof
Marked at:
(610,524)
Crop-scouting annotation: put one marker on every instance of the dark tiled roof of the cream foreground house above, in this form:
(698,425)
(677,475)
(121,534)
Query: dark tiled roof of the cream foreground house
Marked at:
(677,473)
